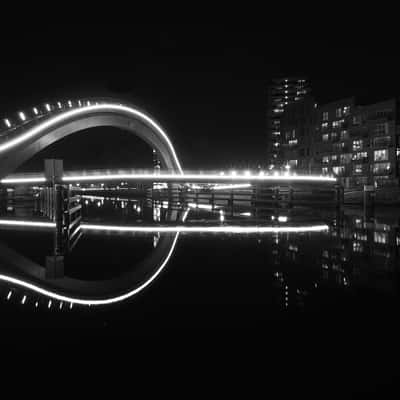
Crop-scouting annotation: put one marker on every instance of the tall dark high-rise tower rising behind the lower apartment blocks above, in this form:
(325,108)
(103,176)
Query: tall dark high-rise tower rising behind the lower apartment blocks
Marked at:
(281,93)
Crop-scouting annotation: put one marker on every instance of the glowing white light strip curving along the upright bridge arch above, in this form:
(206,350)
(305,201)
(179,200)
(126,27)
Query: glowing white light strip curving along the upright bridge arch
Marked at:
(53,121)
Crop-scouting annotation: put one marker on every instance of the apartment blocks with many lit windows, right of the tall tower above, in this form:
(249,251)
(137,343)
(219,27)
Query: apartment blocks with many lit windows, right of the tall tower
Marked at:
(359,144)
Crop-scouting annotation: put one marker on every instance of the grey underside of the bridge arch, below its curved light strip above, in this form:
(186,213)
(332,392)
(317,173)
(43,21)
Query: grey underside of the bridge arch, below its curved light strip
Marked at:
(16,156)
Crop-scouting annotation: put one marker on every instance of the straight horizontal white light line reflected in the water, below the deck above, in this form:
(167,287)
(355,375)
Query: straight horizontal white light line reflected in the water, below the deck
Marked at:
(177,229)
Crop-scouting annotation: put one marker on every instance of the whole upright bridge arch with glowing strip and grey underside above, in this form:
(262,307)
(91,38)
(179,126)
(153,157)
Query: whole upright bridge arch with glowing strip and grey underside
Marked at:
(24,142)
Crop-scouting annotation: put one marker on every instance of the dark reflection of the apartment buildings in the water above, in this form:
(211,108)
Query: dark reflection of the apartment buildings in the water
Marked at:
(356,253)
